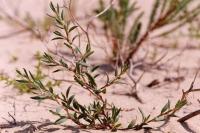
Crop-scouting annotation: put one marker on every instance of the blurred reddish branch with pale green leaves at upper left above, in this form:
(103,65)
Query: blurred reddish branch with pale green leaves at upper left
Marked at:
(38,28)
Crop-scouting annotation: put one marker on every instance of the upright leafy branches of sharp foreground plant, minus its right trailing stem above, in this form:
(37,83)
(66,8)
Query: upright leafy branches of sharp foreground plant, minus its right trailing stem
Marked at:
(98,114)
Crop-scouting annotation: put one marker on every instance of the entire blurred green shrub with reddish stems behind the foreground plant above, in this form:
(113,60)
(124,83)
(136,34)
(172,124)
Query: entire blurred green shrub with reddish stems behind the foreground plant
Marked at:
(126,41)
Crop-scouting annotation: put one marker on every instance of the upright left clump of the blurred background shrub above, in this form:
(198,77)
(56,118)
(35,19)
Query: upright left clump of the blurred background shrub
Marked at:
(115,24)
